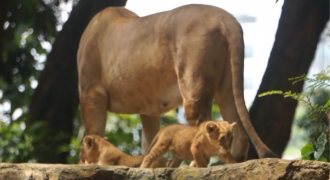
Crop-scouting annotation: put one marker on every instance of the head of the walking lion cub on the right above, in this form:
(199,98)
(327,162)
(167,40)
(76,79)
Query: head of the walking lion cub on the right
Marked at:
(220,134)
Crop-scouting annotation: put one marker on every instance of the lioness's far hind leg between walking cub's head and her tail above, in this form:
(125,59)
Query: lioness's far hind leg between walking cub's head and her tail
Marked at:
(226,103)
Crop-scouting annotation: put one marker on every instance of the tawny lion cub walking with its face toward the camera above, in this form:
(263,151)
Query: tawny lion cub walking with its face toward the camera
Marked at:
(198,143)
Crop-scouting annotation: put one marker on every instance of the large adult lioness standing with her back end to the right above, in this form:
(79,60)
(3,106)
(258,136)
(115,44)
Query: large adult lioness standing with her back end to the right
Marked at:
(150,65)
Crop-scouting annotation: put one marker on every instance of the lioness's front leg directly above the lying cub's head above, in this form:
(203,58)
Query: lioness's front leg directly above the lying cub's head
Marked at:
(93,103)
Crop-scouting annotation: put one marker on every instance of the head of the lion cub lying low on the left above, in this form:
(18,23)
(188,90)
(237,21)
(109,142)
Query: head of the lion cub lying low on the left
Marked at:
(90,149)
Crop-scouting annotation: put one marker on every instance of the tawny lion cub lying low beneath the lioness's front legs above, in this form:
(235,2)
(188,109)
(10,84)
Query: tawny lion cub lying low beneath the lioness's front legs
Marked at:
(97,150)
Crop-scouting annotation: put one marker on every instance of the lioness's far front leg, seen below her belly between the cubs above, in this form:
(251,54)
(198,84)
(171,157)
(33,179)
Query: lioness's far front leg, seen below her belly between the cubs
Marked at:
(150,127)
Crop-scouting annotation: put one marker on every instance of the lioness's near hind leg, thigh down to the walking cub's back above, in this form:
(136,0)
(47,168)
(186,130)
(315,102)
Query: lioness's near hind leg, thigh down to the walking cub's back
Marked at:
(198,69)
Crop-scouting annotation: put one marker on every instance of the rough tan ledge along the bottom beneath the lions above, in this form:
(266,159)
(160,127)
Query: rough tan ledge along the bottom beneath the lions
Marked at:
(260,169)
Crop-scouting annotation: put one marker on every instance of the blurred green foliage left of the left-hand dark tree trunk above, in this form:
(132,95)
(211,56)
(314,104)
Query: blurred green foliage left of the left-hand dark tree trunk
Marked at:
(28,26)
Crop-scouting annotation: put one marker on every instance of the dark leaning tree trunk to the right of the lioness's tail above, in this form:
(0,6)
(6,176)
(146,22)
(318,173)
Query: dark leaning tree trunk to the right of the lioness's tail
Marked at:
(299,29)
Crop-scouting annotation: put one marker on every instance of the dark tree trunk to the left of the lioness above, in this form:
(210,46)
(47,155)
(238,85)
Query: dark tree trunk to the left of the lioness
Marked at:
(55,100)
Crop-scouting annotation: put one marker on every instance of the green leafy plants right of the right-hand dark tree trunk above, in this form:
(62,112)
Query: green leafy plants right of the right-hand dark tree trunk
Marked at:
(316,100)
